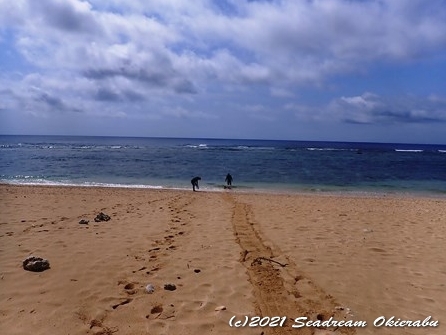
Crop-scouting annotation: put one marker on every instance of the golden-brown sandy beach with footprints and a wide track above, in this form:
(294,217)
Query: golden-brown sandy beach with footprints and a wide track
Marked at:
(291,256)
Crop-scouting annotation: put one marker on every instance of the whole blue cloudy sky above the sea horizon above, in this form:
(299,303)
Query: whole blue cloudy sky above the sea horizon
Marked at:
(329,70)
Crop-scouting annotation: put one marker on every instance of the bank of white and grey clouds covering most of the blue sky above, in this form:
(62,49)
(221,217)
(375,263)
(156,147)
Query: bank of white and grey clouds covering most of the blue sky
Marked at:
(152,58)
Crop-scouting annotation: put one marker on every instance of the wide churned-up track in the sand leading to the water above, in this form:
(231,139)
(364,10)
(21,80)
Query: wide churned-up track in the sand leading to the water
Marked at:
(280,290)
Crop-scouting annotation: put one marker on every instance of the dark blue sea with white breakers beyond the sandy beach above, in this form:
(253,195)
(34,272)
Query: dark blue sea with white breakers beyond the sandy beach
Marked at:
(256,165)
